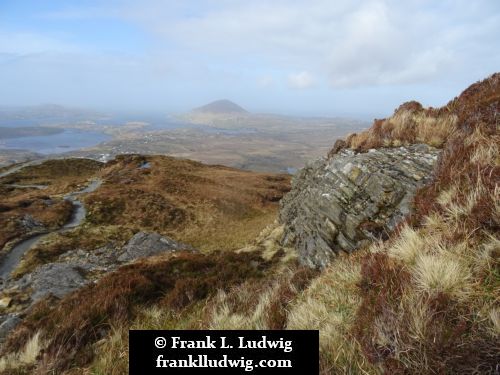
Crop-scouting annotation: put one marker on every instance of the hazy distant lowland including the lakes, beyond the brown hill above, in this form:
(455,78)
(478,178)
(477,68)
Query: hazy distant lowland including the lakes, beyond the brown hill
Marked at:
(257,142)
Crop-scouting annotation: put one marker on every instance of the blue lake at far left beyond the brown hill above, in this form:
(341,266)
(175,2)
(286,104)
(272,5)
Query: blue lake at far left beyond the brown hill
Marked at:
(68,140)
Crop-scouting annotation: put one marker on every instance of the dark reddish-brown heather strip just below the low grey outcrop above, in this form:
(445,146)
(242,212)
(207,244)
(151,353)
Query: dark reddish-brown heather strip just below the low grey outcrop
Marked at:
(174,282)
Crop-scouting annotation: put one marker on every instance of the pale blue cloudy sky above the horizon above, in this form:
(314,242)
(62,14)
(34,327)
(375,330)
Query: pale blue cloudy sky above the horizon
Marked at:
(357,58)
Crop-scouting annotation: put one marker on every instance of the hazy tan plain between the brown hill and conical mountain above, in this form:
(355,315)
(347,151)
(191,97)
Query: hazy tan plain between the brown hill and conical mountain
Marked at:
(264,150)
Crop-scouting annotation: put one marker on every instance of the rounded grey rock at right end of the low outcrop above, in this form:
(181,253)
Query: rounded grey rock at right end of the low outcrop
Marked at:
(144,244)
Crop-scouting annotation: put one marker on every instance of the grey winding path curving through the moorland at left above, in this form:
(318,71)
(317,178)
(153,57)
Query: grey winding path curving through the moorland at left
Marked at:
(12,259)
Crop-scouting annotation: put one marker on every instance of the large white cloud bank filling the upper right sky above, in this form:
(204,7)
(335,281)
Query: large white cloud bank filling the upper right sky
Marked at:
(346,43)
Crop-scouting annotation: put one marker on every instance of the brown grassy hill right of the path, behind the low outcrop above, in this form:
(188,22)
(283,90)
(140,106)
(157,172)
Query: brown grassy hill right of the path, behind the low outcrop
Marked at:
(209,207)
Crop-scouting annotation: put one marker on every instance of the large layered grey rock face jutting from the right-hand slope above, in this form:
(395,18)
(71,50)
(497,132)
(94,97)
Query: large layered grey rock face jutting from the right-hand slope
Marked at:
(349,199)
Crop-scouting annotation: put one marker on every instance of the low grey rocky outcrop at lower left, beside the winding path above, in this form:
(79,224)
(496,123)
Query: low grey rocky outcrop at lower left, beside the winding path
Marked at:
(73,270)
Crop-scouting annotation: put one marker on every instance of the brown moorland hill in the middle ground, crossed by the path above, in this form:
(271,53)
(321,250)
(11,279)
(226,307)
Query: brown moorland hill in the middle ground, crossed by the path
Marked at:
(210,207)
